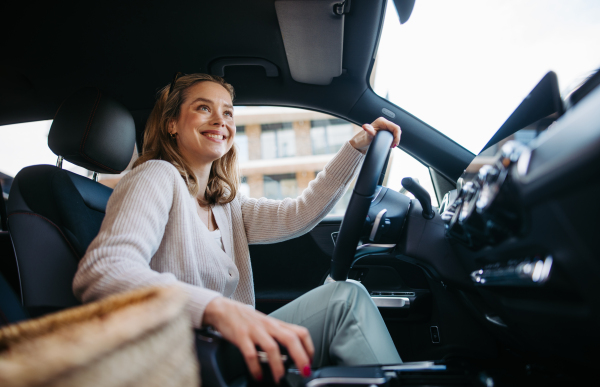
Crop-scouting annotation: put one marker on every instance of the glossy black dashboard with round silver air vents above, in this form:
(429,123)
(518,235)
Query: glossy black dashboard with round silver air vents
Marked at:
(523,225)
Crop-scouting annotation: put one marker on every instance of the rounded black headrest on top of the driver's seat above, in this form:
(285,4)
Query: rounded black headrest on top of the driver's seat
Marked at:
(93,131)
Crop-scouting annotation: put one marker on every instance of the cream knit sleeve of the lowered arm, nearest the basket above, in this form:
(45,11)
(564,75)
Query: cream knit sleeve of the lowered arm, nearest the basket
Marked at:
(118,258)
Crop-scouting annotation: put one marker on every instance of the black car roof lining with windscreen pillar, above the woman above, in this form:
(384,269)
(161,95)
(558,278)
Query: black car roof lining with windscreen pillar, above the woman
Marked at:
(131,49)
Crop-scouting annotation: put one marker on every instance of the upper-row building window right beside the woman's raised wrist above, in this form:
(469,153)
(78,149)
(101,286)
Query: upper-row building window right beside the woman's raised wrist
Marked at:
(327,136)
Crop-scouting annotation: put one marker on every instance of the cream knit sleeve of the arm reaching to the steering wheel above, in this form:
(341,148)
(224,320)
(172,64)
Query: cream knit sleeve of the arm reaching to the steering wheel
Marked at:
(271,221)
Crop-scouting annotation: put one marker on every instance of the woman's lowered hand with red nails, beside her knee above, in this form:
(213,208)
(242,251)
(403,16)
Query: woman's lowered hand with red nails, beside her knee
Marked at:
(247,328)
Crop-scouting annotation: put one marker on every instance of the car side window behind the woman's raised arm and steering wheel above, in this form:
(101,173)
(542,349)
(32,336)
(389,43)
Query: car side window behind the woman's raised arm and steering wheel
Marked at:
(283,149)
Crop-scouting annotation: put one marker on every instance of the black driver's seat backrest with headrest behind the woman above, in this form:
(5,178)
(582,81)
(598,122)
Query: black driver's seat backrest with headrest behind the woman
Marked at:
(54,214)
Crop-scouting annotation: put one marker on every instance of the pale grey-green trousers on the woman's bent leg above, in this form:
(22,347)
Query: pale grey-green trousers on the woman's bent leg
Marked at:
(344,323)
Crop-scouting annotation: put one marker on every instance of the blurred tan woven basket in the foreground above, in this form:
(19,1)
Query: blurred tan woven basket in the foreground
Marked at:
(139,338)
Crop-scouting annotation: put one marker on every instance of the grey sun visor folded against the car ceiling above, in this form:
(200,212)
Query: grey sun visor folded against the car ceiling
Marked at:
(313,36)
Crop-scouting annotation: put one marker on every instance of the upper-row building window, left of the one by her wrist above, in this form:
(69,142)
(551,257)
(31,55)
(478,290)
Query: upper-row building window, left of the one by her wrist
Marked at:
(278,140)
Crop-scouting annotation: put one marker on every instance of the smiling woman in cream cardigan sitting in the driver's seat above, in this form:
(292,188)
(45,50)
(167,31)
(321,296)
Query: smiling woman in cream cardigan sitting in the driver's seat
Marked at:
(178,217)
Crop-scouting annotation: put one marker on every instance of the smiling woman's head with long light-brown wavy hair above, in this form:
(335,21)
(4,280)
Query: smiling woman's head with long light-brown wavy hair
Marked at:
(191,130)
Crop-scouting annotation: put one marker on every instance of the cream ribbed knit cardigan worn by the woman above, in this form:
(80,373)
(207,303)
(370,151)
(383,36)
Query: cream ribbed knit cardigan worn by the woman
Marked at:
(152,234)
